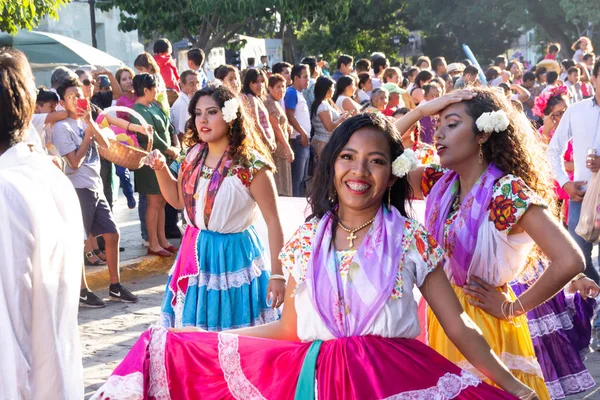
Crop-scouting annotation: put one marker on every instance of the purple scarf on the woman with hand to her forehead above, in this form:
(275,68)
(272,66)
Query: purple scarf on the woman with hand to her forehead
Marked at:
(462,237)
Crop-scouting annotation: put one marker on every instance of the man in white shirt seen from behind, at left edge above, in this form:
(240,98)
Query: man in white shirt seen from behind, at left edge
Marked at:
(41,240)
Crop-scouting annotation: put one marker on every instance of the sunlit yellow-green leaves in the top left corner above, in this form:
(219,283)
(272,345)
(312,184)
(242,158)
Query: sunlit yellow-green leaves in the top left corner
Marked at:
(26,14)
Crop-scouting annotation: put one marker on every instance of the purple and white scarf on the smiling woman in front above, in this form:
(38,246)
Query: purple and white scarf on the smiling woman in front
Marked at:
(349,310)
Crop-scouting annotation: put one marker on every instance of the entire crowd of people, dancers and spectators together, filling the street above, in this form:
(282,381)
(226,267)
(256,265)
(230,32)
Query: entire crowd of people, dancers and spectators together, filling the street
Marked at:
(501,155)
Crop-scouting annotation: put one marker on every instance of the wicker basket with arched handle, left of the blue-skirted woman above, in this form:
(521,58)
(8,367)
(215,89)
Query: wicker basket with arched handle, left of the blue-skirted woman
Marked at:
(121,154)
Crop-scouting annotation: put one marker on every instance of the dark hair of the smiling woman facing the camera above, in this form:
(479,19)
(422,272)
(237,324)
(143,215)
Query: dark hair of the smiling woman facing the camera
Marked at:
(323,182)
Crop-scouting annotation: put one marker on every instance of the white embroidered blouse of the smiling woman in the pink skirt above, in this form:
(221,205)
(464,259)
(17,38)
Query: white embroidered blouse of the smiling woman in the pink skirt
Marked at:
(398,318)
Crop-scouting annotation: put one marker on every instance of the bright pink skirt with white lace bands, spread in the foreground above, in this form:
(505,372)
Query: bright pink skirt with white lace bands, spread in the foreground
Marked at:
(208,365)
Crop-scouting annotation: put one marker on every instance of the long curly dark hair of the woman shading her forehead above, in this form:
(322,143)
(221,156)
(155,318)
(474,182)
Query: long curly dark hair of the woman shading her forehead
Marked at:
(515,150)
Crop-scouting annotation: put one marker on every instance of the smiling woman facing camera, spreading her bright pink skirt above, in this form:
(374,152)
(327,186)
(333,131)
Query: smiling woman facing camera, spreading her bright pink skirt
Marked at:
(347,329)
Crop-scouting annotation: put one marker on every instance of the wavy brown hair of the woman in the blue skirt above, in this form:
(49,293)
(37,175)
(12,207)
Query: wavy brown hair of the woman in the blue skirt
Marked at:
(243,135)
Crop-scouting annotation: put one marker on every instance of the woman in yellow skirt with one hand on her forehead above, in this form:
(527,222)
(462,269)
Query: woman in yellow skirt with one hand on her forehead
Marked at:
(489,208)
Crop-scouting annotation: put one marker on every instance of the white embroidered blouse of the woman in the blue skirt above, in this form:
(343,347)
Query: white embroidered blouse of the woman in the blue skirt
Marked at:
(234,209)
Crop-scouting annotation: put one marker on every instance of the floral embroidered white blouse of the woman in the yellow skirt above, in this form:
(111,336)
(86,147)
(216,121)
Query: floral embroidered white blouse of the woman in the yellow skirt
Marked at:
(500,257)
